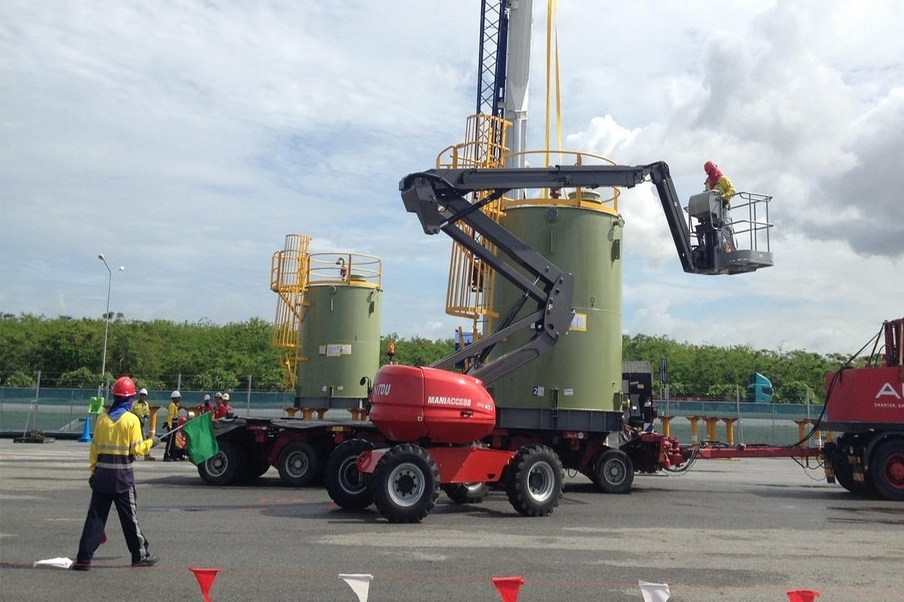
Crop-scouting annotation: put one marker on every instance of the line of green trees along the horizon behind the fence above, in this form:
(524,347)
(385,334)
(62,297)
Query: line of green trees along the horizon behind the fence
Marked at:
(161,354)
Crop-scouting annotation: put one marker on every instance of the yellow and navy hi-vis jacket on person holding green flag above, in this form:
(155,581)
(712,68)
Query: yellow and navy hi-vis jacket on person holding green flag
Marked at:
(113,449)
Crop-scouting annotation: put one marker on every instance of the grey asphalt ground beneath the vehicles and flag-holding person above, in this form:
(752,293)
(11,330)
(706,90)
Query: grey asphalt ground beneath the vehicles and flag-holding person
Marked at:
(727,530)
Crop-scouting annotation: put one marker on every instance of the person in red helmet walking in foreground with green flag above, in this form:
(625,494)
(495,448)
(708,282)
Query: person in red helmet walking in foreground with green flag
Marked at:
(117,440)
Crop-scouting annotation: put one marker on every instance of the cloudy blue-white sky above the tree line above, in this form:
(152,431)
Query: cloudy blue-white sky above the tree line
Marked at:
(184,141)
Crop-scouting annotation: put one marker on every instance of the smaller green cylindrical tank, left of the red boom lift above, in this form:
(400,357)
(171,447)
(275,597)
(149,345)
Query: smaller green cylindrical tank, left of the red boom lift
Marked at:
(340,343)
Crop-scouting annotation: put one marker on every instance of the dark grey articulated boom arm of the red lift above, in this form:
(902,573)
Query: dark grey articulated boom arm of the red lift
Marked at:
(439,197)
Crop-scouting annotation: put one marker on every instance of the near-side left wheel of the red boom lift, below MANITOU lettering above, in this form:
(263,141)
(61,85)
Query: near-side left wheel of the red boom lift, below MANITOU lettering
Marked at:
(405,484)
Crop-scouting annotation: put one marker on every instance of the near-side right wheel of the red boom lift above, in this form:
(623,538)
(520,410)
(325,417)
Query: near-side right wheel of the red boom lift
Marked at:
(534,480)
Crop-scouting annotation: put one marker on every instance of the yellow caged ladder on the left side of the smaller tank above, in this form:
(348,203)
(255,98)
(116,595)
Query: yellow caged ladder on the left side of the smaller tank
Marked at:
(289,280)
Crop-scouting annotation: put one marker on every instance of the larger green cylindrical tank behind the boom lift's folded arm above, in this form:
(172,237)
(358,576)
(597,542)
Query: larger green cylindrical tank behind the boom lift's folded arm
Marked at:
(584,369)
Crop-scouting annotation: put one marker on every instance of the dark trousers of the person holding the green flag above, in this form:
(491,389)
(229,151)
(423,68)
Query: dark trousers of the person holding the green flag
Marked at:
(126,503)
